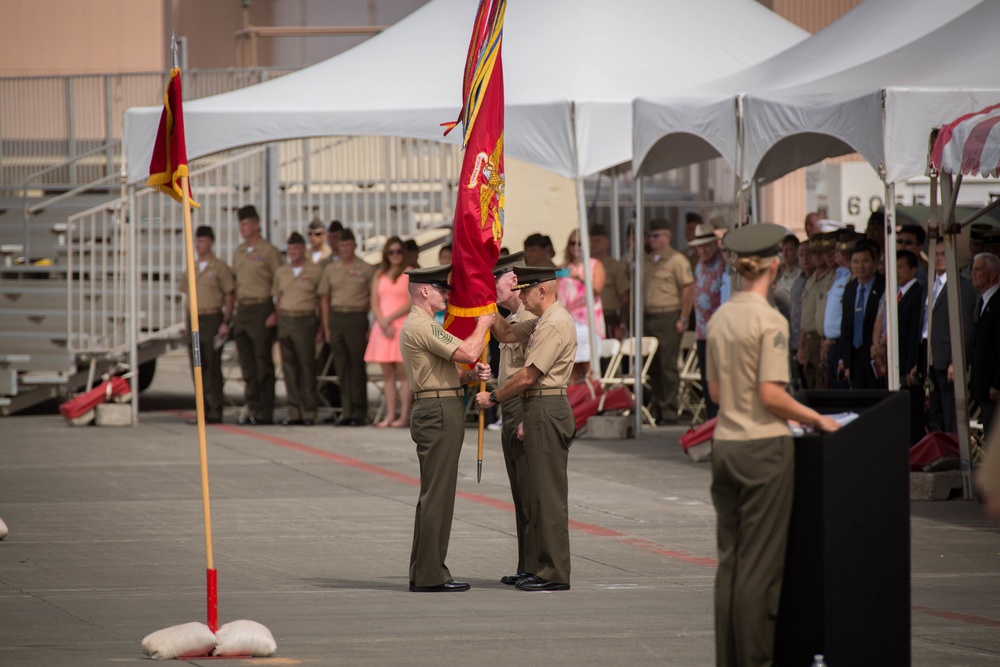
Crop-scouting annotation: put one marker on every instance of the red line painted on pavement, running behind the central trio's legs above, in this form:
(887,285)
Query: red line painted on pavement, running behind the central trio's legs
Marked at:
(488,501)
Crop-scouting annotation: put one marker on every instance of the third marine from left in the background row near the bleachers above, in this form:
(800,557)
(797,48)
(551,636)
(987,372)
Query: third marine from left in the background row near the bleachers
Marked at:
(295,290)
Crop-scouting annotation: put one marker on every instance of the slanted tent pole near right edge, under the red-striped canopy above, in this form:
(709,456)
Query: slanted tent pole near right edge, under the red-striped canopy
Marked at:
(948,197)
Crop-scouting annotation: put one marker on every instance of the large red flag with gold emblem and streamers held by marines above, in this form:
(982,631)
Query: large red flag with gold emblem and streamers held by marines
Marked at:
(477,233)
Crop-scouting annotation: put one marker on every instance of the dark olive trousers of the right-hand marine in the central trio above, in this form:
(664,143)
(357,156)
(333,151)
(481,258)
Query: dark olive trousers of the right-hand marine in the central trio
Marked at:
(547,438)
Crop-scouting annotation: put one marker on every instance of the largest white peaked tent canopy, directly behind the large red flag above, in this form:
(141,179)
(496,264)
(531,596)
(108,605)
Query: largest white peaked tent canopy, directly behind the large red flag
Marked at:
(572,69)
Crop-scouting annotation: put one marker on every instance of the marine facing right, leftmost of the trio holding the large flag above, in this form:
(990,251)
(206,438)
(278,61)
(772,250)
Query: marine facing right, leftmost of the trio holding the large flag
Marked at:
(437,420)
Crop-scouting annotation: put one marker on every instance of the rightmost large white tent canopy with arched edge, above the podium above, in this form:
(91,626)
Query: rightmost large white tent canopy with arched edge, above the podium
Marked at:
(884,108)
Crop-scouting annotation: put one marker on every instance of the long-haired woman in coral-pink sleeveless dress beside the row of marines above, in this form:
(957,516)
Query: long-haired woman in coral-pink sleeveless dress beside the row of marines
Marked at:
(390,305)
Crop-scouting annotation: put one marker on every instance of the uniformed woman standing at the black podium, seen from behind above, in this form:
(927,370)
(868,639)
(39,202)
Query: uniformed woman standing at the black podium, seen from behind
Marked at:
(753,456)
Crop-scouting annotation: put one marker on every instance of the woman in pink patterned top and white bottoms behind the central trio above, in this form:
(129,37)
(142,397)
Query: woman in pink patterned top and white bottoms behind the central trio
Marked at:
(572,293)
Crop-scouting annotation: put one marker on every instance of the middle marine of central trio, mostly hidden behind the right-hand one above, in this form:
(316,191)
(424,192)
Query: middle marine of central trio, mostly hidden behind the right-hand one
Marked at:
(511,362)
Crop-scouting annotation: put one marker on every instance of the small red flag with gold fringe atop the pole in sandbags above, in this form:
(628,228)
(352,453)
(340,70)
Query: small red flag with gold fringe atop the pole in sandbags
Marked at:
(169,161)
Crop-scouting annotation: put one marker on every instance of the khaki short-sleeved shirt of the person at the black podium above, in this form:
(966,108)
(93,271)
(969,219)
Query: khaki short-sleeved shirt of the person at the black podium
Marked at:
(747,345)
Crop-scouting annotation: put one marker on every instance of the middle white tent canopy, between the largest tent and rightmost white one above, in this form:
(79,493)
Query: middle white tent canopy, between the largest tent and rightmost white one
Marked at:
(702,122)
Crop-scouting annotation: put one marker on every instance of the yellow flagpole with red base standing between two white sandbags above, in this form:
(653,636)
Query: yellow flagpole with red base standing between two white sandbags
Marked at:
(199,398)
